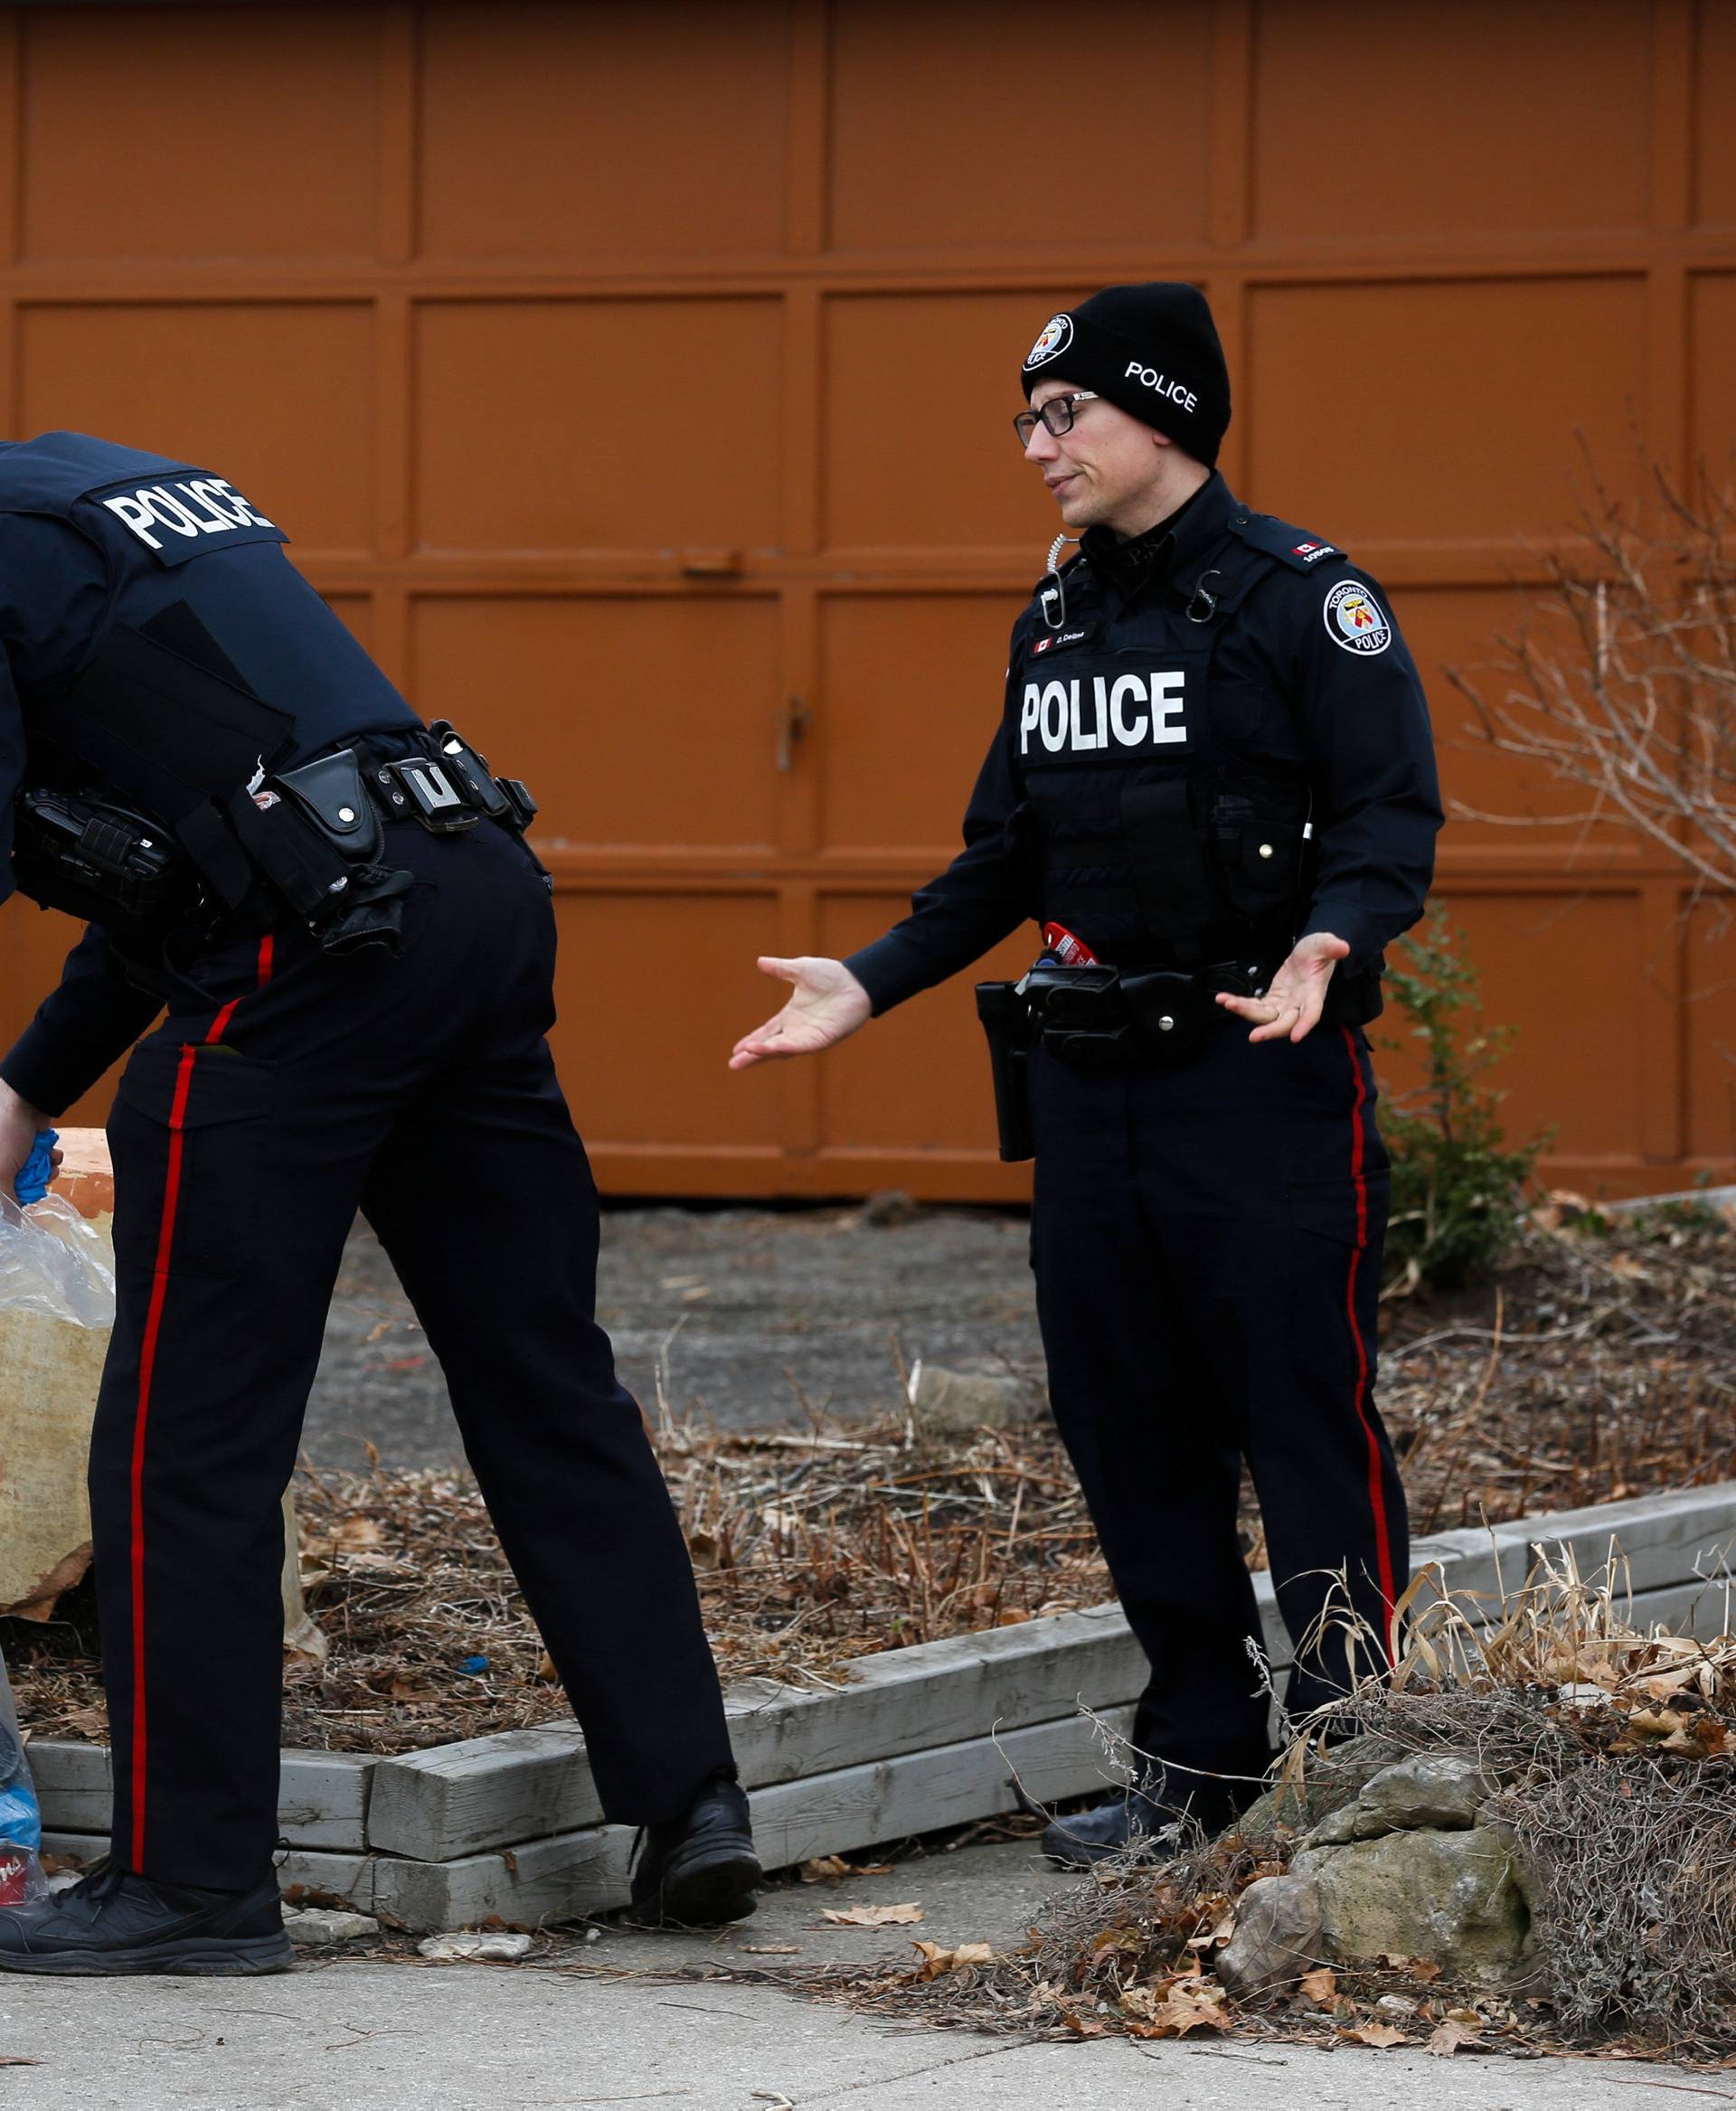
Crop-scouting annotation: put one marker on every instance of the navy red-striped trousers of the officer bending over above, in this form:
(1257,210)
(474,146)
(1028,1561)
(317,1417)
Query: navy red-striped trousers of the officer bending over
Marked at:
(284,1092)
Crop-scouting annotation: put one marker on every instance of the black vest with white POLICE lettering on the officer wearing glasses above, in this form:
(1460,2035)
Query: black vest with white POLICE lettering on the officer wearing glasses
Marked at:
(1141,829)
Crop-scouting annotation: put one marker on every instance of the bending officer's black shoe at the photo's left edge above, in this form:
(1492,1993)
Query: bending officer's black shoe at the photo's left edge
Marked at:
(115,1922)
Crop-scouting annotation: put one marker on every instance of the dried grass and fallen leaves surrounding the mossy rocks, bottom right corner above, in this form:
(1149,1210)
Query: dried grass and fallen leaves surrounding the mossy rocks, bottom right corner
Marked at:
(1617,1757)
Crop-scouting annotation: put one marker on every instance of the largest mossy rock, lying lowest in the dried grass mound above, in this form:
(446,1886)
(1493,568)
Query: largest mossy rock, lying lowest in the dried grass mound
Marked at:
(1452,1899)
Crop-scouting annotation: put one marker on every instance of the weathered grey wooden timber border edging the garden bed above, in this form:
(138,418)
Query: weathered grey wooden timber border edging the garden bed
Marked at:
(918,1738)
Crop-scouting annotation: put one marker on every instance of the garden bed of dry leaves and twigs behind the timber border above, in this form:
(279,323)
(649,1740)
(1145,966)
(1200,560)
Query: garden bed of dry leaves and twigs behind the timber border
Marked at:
(1593,1367)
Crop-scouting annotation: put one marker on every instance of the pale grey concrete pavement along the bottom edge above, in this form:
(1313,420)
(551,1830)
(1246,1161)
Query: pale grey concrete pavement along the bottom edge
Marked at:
(449,2038)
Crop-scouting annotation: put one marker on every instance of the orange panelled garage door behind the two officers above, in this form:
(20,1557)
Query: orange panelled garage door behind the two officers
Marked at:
(635,381)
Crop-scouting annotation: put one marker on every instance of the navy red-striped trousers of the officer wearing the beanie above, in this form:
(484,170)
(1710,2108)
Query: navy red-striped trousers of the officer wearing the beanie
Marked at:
(1207,1242)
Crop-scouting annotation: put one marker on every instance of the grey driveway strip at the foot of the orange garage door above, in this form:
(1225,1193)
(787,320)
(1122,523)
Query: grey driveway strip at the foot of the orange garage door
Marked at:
(730,1301)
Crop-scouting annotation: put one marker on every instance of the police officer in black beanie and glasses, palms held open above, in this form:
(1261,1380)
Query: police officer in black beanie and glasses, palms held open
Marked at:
(1213,784)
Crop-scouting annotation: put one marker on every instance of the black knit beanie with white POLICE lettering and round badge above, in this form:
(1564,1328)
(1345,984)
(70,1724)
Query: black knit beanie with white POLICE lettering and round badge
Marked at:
(1154,351)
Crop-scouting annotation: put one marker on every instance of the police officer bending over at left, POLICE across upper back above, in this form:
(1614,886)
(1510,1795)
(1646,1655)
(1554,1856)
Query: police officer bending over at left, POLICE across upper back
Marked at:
(354,943)
